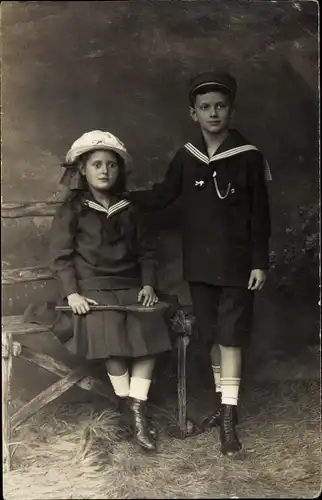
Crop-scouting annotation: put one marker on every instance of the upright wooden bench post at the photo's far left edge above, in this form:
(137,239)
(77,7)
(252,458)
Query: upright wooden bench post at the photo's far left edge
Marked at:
(6,358)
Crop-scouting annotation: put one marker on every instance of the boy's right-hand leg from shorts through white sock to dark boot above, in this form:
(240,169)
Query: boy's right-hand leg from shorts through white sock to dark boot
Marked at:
(235,321)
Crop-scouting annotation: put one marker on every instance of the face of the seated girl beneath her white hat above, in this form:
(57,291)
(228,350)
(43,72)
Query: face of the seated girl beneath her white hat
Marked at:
(101,169)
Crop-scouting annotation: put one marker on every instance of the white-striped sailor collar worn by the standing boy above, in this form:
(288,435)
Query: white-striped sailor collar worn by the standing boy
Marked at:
(233,145)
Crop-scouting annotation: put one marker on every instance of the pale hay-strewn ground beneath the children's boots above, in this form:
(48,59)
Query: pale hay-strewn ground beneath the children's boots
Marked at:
(79,452)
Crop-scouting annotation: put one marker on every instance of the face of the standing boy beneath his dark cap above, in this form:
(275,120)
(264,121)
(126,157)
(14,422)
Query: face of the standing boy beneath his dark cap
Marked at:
(213,111)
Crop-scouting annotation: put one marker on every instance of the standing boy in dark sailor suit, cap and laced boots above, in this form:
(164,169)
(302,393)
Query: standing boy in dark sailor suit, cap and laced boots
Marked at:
(225,234)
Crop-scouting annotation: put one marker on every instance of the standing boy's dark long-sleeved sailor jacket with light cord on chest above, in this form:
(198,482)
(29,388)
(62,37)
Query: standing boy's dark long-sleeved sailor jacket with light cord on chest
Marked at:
(225,216)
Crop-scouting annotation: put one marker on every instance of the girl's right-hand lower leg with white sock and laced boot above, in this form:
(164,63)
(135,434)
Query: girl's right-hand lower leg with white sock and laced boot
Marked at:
(142,370)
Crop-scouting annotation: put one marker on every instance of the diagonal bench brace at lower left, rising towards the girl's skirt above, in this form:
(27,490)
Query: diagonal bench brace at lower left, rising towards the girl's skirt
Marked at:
(45,397)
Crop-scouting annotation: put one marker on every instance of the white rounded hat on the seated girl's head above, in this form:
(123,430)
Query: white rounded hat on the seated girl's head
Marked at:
(97,139)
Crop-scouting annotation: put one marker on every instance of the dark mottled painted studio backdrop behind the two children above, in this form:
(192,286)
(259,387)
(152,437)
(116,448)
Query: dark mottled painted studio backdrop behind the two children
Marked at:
(124,67)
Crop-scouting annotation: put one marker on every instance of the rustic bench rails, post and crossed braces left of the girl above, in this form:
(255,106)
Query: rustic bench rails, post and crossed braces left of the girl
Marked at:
(13,328)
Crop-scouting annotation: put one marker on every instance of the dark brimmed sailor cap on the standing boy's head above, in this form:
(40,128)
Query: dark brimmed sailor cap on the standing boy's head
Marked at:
(214,81)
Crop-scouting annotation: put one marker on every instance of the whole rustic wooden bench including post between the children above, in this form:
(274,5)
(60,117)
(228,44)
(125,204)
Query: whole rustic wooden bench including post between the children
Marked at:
(13,328)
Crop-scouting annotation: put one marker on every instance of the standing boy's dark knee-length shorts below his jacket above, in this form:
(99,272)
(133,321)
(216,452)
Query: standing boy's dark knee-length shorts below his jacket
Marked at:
(223,314)
